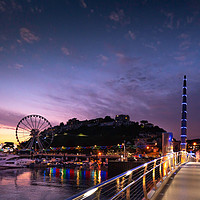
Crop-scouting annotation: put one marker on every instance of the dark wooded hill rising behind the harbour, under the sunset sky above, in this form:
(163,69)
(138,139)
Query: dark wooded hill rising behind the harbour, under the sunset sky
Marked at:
(102,133)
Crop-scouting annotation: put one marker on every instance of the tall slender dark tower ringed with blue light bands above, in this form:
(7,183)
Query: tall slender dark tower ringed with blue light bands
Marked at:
(184,117)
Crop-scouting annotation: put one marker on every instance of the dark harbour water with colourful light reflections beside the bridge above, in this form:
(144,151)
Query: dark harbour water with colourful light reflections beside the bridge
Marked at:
(48,183)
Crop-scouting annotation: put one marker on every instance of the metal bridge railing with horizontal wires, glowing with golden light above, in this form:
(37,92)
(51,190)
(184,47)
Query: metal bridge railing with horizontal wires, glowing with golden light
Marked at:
(138,183)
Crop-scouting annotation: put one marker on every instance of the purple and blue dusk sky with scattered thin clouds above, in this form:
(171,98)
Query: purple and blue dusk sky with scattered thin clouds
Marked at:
(87,59)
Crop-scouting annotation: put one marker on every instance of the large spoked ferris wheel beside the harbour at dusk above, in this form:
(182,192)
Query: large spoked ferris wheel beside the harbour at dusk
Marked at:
(34,132)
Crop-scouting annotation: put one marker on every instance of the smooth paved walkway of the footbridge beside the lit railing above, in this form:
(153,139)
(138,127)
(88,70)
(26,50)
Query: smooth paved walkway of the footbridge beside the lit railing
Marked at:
(185,185)
